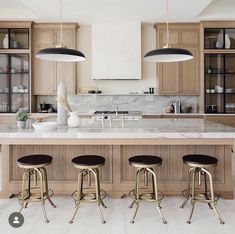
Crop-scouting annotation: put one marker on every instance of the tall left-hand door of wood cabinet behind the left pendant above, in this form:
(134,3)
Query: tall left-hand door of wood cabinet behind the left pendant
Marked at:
(44,72)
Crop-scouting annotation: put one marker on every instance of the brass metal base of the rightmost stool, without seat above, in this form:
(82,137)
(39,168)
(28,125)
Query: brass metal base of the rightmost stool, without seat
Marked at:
(209,197)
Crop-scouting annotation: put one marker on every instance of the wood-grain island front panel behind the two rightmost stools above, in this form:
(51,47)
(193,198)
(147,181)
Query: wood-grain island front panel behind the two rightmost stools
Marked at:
(172,169)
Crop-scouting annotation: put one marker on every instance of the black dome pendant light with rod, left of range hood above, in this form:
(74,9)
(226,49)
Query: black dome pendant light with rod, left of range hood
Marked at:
(60,53)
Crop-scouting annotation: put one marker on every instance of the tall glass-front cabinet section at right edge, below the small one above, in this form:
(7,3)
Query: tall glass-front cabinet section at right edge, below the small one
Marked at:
(219,83)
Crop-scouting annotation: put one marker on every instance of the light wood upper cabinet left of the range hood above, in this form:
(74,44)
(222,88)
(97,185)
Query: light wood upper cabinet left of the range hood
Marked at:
(47,74)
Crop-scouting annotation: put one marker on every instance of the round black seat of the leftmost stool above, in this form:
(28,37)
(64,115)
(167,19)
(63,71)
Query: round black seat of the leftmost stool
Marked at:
(35,159)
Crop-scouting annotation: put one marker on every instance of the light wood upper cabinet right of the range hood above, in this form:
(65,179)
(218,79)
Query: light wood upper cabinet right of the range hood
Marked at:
(180,78)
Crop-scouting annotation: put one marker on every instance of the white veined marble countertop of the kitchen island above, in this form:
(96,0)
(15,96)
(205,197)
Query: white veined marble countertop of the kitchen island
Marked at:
(145,128)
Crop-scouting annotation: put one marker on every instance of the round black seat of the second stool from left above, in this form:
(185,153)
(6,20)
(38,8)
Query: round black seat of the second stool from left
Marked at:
(88,160)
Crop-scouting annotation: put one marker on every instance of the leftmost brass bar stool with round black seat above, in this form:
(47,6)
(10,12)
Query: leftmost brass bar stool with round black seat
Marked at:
(34,166)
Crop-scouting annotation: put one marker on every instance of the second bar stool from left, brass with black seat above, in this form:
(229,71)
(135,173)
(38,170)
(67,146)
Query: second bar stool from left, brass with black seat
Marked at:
(88,165)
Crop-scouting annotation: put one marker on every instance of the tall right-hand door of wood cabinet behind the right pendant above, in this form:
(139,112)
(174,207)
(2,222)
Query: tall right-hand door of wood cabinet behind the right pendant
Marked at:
(189,74)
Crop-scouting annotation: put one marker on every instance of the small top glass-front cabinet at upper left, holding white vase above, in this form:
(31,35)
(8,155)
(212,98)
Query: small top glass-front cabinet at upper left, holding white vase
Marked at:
(14,38)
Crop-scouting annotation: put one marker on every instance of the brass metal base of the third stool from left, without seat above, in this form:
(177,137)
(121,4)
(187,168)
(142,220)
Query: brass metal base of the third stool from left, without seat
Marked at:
(136,194)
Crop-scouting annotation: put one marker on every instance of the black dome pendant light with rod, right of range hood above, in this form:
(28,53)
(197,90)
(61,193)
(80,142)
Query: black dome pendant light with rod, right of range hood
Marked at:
(167,53)
